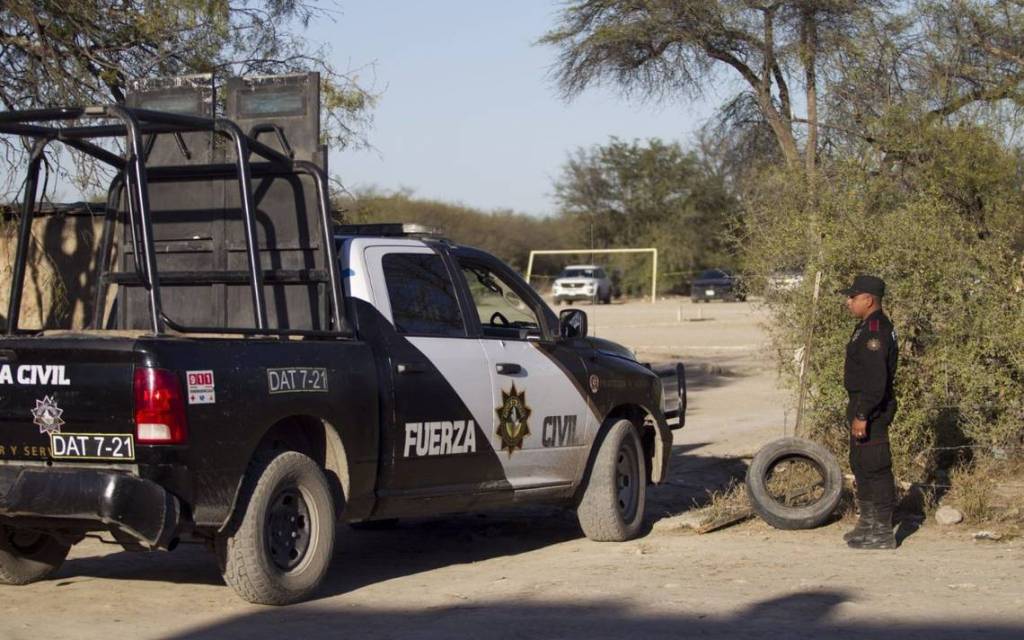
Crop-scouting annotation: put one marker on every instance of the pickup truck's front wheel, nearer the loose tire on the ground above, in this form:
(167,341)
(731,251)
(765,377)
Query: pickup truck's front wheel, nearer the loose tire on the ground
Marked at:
(614,502)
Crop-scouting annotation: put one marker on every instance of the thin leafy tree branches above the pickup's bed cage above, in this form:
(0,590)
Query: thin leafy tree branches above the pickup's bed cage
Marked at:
(89,52)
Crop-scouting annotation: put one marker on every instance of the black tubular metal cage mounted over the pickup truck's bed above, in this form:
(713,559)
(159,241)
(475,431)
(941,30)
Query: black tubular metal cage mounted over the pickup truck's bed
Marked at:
(136,125)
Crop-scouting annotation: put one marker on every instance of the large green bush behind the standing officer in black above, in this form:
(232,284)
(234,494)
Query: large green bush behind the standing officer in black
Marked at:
(940,218)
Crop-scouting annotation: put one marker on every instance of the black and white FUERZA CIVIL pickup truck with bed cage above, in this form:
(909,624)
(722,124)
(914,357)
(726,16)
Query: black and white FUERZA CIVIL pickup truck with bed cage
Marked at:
(379,373)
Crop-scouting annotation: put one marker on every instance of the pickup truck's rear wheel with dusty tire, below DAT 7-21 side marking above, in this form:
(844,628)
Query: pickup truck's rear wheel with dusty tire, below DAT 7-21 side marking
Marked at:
(284,543)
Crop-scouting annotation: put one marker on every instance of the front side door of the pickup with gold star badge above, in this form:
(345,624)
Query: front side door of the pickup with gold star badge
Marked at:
(542,417)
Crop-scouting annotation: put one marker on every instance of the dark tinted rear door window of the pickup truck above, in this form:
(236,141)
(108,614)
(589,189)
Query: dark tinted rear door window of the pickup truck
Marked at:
(423,298)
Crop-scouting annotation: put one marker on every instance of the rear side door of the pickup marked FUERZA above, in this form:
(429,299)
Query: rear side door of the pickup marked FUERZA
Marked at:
(436,442)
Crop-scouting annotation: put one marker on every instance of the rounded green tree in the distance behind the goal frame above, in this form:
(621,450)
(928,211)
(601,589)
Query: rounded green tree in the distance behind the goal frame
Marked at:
(649,195)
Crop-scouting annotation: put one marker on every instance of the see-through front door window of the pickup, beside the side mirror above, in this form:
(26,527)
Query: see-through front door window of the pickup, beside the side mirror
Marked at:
(503,314)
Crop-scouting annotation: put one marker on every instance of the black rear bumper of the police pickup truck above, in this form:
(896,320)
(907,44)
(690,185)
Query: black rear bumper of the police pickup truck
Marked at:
(123,503)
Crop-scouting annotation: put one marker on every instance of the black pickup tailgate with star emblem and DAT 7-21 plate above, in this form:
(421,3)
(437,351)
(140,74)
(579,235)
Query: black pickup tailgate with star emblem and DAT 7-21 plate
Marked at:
(56,387)
